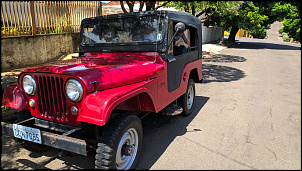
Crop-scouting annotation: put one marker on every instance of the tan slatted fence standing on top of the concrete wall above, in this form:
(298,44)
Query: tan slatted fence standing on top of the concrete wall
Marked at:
(44,17)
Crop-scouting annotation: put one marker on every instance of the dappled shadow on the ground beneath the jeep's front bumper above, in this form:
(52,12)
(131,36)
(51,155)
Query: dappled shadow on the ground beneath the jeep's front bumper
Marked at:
(10,148)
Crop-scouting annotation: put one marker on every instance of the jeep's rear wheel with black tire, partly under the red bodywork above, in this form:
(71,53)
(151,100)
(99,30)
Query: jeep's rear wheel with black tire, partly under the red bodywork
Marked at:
(186,101)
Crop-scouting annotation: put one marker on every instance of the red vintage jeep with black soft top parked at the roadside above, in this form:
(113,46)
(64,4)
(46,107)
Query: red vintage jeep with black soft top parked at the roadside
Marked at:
(97,100)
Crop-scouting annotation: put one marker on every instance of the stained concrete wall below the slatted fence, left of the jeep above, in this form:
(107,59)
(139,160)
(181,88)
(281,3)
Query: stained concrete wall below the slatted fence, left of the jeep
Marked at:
(30,50)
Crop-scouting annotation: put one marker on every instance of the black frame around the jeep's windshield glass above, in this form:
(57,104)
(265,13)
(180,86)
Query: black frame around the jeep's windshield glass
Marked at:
(163,21)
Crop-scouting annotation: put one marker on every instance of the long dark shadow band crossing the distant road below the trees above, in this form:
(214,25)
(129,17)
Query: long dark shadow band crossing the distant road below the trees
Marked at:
(266,45)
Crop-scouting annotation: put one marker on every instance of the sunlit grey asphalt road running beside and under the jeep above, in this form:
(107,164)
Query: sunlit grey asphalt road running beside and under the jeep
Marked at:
(247,115)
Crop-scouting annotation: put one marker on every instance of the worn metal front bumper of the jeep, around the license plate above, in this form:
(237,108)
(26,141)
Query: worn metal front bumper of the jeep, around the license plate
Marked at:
(59,141)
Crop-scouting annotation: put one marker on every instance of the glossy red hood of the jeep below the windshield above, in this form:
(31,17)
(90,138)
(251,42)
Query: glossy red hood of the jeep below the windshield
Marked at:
(108,69)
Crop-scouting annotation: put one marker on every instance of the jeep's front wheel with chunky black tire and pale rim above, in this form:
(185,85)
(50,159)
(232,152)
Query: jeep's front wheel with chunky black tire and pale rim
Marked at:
(120,144)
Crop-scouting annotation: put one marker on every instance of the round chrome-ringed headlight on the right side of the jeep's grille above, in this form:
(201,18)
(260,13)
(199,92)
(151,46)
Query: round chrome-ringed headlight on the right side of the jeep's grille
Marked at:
(74,90)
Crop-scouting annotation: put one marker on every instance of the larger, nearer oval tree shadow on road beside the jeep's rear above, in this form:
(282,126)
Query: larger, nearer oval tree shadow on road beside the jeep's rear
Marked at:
(219,73)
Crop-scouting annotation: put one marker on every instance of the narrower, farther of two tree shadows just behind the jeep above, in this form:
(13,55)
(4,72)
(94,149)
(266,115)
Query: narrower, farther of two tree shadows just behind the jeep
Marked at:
(224,58)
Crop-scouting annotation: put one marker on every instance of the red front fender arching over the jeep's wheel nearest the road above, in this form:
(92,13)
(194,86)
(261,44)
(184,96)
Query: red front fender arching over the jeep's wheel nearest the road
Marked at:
(97,107)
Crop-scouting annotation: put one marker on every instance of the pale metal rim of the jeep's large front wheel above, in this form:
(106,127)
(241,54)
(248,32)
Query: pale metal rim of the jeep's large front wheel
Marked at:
(127,150)
